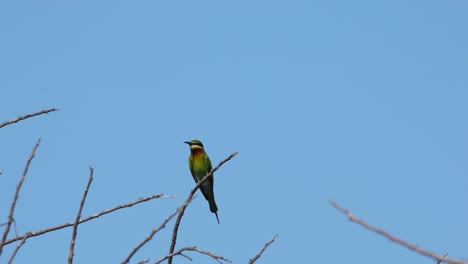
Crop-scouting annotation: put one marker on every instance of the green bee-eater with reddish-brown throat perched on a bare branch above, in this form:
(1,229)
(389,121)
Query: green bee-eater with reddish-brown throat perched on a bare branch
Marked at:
(200,166)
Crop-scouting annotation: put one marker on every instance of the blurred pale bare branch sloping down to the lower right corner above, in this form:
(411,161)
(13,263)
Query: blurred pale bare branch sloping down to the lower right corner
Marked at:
(394,239)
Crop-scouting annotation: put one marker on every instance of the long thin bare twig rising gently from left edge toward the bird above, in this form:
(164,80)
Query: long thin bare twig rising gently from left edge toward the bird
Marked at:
(108,211)
